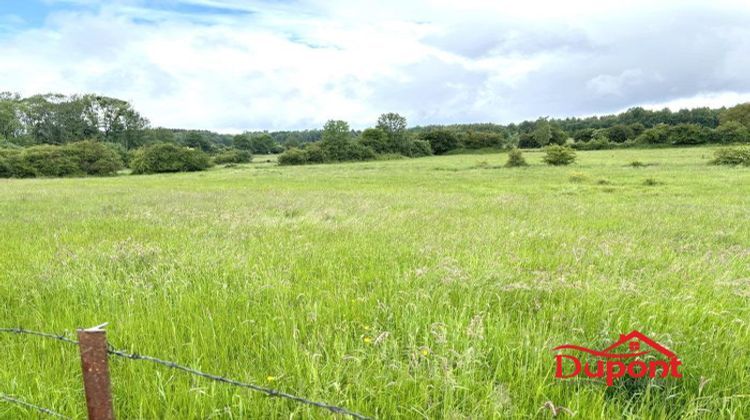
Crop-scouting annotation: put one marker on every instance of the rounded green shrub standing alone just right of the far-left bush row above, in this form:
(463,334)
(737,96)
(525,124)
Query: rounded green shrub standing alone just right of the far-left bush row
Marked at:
(167,157)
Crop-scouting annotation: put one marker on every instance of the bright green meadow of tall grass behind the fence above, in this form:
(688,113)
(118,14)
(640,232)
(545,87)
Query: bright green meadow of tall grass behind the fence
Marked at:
(426,288)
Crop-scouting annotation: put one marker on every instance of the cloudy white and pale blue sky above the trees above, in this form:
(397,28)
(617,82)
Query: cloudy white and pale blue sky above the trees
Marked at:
(233,65)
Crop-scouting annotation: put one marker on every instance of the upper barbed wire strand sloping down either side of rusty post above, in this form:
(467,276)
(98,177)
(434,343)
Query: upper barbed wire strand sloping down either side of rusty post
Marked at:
(134,356)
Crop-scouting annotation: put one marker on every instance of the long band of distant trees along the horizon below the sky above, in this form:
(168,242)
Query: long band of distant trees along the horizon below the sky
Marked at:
(54,119)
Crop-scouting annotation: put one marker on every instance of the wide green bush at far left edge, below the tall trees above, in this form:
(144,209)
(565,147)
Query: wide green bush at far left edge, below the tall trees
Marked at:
(73,159)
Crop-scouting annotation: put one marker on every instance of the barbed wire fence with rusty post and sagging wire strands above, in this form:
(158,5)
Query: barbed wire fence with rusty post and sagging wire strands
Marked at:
(166,363)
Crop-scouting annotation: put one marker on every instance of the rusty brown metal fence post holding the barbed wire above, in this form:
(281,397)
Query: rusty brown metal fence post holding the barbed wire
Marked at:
(93,349)
